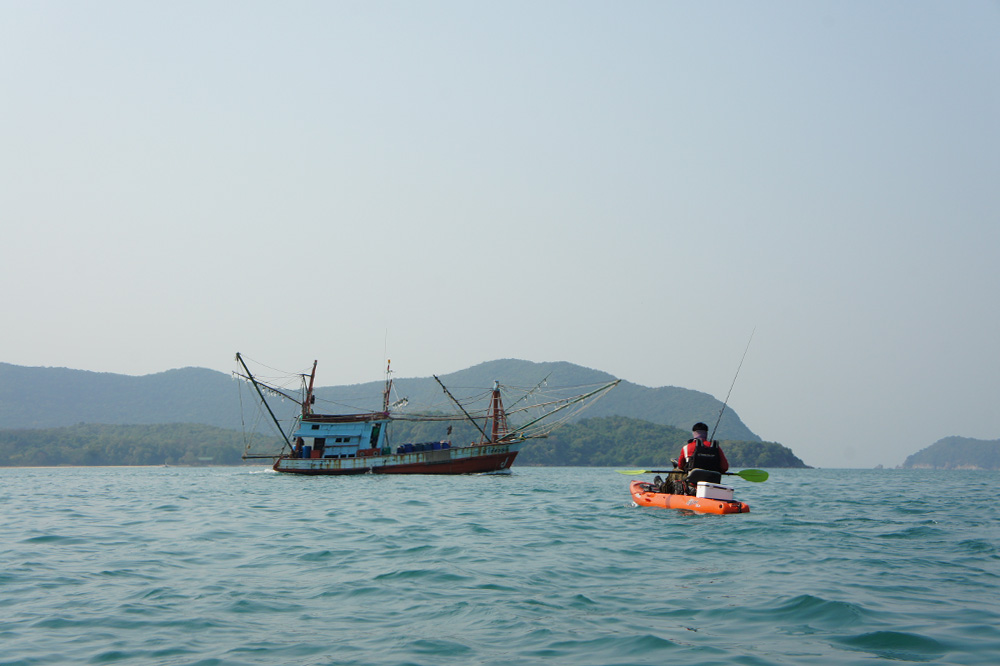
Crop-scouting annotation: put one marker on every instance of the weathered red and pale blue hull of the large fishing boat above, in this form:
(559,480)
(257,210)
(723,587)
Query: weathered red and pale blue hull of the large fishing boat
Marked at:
(476,459)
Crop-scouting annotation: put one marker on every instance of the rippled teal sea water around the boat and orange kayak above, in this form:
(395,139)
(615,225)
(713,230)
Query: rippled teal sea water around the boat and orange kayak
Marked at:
(233,566)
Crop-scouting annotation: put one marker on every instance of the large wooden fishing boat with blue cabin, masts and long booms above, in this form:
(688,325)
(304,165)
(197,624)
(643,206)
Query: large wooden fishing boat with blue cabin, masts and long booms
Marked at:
(360,442)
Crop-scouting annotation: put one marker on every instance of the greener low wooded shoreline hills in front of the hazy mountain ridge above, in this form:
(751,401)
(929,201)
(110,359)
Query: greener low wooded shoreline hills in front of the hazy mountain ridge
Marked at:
(605,441)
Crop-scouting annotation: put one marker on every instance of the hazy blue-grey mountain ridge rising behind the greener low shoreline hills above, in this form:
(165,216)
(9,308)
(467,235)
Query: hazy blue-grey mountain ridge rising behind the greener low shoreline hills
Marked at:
(32,397)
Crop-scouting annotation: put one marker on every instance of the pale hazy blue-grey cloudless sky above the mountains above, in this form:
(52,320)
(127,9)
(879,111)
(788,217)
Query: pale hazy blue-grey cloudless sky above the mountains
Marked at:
(634,187)
